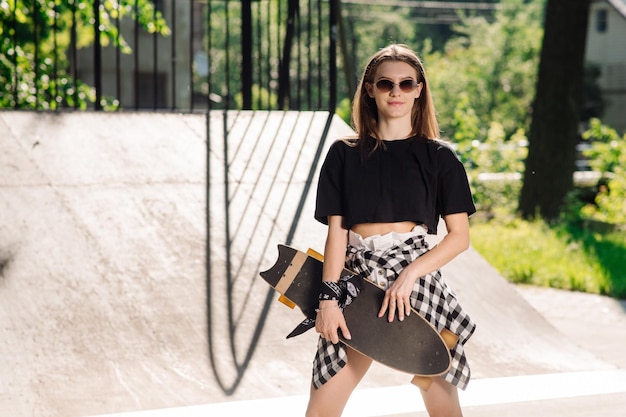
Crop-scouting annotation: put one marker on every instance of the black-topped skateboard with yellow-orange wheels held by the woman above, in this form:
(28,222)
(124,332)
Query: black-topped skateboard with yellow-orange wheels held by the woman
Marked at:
(413,346)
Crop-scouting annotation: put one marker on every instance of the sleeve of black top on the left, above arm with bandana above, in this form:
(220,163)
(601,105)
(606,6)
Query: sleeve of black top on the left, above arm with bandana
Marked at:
(329,201)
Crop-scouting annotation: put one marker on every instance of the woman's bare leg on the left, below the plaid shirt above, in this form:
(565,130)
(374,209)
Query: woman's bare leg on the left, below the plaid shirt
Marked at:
(330,399)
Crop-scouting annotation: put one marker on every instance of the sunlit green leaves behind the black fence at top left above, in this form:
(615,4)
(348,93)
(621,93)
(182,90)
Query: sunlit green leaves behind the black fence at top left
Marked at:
(34,38)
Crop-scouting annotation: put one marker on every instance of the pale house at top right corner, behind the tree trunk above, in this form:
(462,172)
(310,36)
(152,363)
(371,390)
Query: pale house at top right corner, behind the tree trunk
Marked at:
(606,47)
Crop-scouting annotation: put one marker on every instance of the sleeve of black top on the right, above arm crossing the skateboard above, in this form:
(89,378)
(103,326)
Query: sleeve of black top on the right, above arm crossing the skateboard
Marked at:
(453,194)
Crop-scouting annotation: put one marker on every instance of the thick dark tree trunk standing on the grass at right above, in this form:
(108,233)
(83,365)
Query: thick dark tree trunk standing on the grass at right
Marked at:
(554,134)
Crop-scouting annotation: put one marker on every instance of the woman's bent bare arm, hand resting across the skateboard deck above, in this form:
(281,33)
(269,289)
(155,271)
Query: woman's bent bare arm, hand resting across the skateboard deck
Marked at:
(397,297)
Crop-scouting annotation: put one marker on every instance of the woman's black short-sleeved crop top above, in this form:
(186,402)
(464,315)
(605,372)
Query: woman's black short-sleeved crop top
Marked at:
(413,179)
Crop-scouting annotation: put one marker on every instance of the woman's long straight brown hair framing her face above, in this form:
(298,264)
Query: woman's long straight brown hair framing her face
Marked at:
(365,112)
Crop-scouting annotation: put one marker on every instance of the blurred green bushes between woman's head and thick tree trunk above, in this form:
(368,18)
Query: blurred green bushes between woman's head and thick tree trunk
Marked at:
(483,85)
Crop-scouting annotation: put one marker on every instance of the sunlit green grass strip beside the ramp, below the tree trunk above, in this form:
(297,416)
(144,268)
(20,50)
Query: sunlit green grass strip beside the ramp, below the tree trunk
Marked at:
(564,257)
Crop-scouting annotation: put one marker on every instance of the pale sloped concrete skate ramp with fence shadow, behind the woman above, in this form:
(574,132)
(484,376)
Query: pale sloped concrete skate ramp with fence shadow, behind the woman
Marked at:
(129,257)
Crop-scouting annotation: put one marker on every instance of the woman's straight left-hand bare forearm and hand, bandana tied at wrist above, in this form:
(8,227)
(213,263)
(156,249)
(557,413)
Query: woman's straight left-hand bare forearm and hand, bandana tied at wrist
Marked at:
(329,317)
